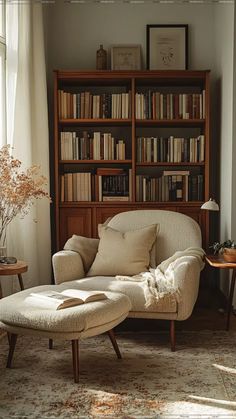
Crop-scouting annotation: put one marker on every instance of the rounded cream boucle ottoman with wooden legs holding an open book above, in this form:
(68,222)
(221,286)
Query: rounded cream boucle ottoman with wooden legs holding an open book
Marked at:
(19,316)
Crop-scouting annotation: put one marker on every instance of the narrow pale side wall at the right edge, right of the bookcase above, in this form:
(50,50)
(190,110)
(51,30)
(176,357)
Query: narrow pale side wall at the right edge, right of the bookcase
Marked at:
(224,67)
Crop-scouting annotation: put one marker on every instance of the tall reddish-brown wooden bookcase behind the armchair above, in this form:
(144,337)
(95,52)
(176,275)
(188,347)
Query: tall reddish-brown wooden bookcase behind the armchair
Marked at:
(80,216)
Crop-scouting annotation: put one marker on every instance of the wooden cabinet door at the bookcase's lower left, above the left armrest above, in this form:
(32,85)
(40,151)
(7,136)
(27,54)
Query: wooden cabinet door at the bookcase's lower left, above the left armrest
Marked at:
(75,221)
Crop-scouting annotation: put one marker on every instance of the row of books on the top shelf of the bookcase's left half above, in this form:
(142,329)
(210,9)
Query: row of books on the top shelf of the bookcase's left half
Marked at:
(85,105)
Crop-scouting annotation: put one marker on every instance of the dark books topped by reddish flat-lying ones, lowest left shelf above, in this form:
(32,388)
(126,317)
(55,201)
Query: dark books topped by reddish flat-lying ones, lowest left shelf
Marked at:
(113,184)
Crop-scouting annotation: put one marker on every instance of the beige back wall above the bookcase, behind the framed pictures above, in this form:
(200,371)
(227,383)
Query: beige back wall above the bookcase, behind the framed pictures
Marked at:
(77,30)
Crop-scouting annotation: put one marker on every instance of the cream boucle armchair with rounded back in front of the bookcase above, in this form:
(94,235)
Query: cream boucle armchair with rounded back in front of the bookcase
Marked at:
(176,232)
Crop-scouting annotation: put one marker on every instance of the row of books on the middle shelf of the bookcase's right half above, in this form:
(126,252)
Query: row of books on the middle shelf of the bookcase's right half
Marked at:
(172,149)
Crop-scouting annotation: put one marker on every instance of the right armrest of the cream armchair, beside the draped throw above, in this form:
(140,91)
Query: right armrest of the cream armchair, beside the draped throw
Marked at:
(188,285)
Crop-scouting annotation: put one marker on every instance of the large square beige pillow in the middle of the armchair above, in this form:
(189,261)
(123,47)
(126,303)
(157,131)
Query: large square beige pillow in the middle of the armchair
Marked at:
(123,253)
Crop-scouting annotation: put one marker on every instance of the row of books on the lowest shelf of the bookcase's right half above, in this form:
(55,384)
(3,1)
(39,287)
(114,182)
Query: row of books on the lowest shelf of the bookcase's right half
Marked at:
(171,186)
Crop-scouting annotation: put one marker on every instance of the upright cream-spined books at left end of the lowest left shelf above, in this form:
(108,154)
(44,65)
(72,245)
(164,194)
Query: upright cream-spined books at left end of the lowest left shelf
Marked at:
(76,187)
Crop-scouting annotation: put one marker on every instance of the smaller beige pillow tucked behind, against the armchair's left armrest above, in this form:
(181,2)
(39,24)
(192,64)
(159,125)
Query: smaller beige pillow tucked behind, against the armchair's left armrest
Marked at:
(86,247)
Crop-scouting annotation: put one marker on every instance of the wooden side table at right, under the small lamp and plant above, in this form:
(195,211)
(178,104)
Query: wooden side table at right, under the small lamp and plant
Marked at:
(217,261)
